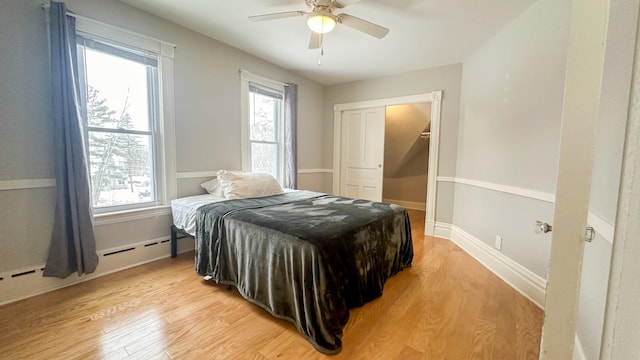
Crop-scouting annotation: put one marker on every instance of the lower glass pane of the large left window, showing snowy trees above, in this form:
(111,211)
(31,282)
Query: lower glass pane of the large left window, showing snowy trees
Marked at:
(120,169)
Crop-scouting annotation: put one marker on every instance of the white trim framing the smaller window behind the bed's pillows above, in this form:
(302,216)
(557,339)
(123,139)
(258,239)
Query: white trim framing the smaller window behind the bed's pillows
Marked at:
(245,78)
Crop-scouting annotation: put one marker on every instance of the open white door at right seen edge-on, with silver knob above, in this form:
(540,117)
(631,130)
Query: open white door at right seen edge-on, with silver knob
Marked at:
(585,62)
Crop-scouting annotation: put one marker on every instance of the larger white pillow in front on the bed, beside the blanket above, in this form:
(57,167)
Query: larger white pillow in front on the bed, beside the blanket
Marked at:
(238,185)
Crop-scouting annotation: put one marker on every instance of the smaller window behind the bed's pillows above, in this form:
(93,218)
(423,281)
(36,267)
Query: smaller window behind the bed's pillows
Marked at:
(263,126)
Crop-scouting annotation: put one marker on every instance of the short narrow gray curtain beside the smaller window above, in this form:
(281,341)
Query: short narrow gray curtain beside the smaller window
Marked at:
(290,136)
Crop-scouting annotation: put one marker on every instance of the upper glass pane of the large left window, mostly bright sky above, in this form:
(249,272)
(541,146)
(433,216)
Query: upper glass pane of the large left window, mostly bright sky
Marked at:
(117,95)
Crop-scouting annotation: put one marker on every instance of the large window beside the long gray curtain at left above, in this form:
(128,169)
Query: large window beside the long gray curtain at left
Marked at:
(120,94)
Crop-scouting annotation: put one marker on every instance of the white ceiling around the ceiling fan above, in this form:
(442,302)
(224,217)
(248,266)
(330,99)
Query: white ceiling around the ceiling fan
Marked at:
(423,33)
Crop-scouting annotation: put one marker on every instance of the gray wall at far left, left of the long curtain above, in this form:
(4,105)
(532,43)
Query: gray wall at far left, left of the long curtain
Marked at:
(25,145)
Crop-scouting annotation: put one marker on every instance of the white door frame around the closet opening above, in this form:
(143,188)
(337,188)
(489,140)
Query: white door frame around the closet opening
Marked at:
(435,98)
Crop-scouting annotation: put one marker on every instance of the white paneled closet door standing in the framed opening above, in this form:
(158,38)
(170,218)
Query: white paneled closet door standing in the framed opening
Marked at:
(362,154)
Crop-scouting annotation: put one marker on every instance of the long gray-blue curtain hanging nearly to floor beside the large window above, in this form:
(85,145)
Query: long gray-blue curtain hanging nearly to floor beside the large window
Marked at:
(73,246)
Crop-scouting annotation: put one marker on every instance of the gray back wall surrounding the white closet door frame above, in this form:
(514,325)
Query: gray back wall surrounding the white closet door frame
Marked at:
(445,78)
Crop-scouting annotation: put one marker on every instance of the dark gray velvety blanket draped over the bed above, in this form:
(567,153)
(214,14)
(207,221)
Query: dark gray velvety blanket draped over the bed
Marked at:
(303,256)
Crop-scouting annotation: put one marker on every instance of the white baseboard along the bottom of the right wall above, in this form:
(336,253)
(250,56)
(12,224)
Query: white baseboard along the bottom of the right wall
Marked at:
(530,285)
